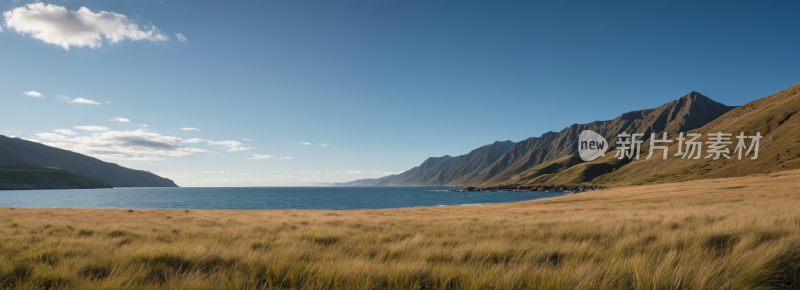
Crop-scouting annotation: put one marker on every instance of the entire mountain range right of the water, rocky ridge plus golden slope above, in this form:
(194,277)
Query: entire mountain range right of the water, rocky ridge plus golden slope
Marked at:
(552,157)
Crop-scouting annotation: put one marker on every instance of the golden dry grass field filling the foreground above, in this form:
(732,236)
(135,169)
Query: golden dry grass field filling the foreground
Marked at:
(736,233)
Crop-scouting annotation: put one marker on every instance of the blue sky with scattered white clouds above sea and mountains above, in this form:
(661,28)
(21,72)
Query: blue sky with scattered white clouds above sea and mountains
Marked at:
(302,92)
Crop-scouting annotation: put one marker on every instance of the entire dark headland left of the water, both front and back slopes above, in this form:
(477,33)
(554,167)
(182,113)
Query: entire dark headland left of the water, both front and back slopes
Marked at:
(49,167)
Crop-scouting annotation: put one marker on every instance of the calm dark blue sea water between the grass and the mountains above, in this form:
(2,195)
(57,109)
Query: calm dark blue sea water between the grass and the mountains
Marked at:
(254,198)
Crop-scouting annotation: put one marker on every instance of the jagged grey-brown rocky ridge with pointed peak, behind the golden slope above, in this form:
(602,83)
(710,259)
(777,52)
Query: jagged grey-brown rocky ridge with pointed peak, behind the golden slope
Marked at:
(536,159)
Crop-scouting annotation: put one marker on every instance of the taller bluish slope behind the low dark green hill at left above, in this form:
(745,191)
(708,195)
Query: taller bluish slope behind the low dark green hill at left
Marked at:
(108,173)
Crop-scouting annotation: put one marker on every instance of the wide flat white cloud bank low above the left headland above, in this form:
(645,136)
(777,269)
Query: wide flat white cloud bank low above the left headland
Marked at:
(127,145)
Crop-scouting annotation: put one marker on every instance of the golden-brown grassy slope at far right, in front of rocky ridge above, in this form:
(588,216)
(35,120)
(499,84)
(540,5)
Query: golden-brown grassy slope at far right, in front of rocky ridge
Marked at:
(774,117)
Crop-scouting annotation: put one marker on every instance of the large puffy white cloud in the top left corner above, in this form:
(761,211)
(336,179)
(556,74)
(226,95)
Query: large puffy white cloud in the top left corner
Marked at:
(56,25)
